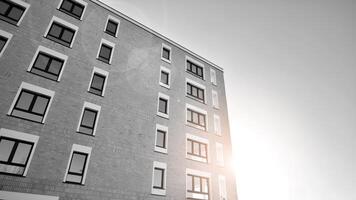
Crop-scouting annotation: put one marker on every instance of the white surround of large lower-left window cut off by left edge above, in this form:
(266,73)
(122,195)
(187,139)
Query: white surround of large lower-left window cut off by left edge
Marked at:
(22,136)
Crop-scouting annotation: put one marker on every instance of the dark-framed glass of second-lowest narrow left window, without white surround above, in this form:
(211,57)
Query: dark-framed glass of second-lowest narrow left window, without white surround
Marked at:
(87,124)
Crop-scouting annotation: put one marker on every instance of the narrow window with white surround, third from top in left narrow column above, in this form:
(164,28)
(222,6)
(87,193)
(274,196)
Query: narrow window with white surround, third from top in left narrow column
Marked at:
(98,81)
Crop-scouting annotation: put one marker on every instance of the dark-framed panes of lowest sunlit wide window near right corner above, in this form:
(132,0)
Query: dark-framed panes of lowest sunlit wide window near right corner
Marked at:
(198,184)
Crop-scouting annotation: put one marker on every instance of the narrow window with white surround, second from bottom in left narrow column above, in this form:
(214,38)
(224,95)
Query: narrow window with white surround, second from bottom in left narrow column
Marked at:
(89,118)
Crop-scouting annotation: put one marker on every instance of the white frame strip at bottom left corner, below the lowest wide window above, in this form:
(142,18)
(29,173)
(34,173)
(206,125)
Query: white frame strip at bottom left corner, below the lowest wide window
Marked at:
(28,196)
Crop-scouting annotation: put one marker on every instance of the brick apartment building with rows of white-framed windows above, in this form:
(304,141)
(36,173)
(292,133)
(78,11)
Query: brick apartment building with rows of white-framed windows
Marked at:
(95,105)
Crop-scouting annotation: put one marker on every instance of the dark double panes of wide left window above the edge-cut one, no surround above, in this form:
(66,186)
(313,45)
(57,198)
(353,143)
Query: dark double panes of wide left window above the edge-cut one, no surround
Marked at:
(31,105)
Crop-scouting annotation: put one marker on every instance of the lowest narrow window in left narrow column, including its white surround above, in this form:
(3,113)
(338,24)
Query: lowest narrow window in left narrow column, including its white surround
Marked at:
(78,164)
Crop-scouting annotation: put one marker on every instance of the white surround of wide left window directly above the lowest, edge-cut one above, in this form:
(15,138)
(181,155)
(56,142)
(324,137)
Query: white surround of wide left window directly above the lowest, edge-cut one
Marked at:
(36,89)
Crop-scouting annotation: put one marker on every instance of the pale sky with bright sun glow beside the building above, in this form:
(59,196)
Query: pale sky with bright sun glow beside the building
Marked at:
(290,75)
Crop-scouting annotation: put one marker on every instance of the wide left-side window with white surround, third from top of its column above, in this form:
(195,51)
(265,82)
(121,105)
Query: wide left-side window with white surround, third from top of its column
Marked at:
(48,63)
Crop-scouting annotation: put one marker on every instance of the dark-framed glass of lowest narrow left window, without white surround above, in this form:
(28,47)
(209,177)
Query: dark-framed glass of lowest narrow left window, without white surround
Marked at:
(77,167)
